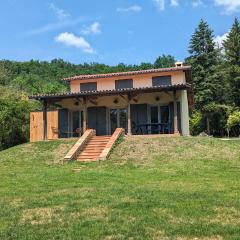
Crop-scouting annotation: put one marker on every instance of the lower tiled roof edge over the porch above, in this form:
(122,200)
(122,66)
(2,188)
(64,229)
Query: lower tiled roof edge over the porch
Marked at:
(111,92)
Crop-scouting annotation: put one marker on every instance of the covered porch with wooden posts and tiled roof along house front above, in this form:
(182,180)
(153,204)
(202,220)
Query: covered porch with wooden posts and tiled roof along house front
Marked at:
(143,111)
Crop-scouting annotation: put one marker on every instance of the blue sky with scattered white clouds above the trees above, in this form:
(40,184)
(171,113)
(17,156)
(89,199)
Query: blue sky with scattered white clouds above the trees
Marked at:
(107,31)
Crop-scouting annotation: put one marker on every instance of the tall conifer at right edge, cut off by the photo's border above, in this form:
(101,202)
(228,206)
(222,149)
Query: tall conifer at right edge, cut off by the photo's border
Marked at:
(232,55)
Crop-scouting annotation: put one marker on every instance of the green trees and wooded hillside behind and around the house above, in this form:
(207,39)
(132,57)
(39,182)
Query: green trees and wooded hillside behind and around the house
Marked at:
(216,85)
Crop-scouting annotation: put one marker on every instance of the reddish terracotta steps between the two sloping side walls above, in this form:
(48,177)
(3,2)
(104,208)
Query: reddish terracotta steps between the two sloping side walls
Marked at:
(93,149)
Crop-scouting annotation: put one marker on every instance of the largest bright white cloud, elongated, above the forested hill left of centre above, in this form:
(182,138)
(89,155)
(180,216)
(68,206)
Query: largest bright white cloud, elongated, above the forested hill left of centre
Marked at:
(70,39)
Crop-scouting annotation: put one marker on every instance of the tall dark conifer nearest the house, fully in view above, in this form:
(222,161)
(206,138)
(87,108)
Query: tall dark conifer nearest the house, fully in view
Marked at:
(204,58)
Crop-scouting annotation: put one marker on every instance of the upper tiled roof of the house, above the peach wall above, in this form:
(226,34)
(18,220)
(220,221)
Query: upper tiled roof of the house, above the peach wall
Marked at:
(120,74)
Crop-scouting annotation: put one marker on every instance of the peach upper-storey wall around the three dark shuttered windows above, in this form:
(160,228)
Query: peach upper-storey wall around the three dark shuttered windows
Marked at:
(143,80)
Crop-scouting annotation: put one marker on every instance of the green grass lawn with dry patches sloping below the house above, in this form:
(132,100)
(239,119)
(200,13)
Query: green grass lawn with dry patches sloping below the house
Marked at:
(150,188)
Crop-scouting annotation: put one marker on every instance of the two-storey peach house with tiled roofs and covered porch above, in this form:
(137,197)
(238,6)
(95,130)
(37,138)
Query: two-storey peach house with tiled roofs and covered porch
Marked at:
(152,101)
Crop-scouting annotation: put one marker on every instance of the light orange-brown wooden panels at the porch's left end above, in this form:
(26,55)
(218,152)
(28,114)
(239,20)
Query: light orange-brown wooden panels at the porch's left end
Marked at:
(36,126)
